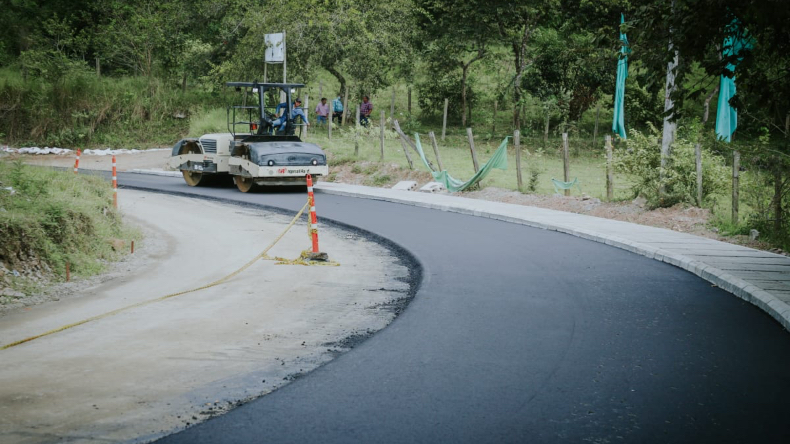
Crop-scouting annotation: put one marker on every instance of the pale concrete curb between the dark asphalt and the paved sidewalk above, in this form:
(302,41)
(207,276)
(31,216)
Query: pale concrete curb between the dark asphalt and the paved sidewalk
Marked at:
(765,301)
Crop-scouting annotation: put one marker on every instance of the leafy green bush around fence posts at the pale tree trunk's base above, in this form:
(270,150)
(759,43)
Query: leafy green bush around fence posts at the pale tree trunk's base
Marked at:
(642,161)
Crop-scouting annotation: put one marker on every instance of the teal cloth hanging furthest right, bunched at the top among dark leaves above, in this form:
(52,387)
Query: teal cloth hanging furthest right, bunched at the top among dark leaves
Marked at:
(727,116)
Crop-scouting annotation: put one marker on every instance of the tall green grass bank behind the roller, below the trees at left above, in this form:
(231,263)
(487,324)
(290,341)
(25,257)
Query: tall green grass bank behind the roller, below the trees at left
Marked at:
(81,110)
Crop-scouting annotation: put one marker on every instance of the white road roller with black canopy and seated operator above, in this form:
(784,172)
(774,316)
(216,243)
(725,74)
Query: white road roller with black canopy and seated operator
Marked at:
(261,146)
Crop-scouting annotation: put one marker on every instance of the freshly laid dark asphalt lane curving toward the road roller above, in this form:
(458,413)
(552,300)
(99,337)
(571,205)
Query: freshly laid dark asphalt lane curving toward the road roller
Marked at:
(525,335)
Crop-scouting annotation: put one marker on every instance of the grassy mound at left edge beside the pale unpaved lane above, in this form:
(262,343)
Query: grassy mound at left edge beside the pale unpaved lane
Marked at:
(55,217)
